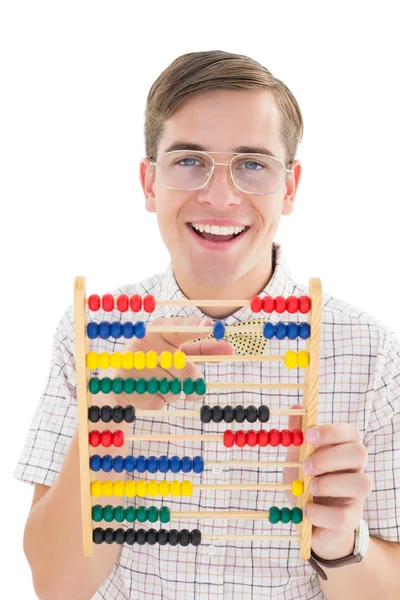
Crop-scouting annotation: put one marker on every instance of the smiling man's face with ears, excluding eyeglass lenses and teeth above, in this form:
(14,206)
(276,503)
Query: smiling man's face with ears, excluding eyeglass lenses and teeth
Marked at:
(220,120)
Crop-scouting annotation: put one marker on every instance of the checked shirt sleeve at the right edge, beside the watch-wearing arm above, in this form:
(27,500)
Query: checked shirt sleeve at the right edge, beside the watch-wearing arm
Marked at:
(382,506)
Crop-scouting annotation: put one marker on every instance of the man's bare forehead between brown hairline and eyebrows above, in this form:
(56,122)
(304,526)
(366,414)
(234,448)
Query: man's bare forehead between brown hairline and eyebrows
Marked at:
(222,120)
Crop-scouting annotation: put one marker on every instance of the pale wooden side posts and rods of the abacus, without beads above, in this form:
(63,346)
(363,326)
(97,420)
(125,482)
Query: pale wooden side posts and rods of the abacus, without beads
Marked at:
(308,416)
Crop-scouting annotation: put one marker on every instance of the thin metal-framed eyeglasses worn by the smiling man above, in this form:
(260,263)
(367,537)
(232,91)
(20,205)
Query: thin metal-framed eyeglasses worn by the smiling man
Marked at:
(191,170)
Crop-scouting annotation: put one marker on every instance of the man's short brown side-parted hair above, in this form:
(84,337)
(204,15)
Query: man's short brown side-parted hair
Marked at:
(212,69)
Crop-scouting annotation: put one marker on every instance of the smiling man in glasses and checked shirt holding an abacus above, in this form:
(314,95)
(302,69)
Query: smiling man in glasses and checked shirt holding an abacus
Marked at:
(221,136)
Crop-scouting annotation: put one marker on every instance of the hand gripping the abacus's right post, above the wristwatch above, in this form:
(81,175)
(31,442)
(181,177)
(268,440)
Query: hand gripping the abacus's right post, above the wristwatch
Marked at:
(339,485)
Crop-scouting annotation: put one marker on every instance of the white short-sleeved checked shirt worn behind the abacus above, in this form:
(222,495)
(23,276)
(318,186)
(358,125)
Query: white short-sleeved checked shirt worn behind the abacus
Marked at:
(359,383)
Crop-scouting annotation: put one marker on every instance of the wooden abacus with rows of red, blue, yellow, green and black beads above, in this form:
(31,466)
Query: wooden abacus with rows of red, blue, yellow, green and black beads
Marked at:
(88,386)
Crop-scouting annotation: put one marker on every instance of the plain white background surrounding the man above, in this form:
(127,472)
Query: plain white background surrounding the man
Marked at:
(74,79)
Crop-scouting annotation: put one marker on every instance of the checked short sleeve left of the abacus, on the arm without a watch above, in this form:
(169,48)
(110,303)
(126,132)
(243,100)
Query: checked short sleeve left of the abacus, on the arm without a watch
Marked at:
(55,420)
